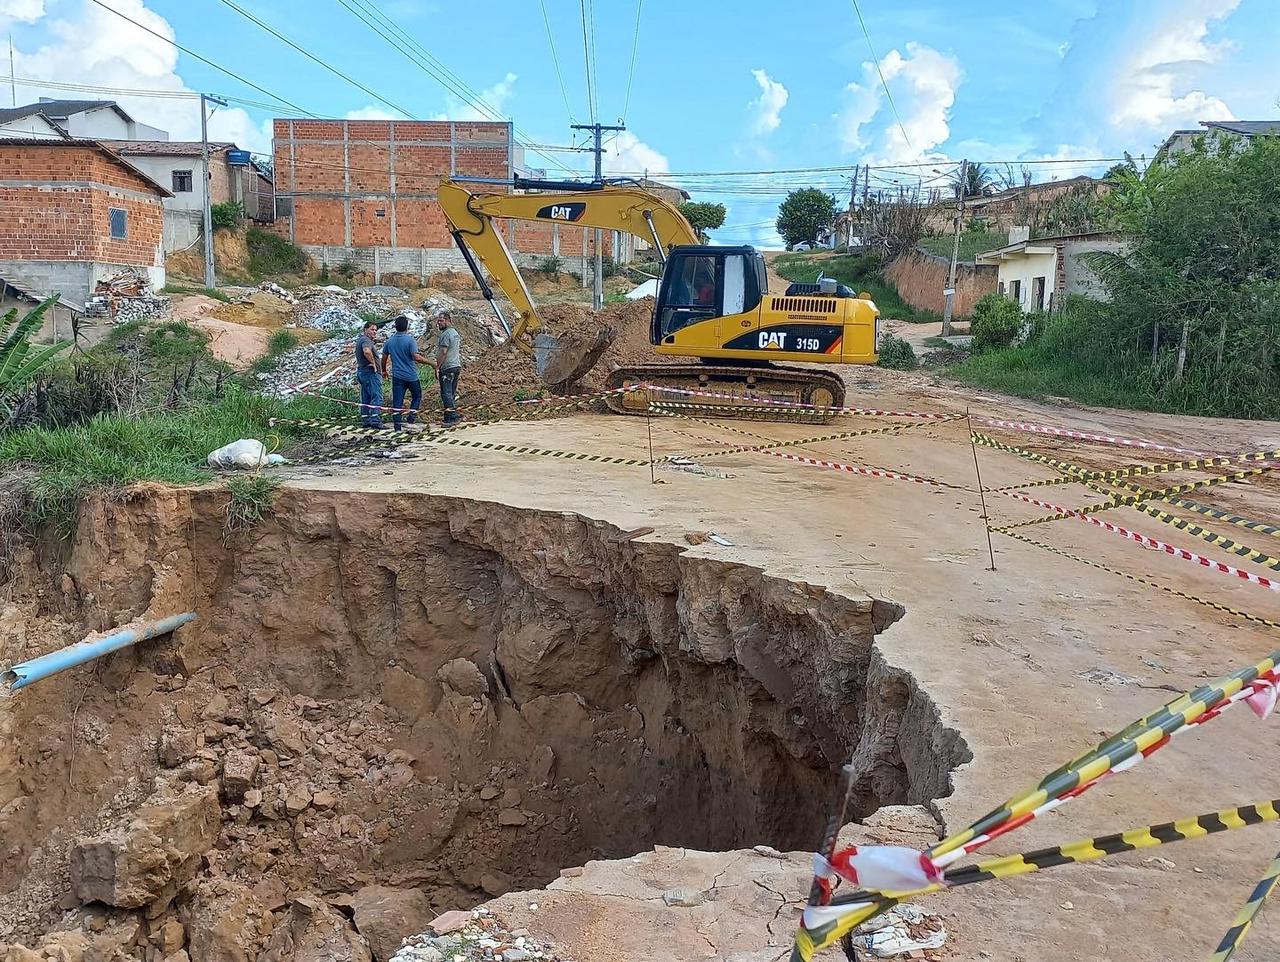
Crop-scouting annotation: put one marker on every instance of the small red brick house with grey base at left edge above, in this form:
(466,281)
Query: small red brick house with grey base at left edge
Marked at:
(74,213)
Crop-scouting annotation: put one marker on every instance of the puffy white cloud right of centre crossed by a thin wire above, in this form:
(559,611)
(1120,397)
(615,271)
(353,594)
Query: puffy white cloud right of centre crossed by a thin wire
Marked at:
(925,85)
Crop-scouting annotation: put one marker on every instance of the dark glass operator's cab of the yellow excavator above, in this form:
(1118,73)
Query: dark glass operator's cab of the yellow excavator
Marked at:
(701,283)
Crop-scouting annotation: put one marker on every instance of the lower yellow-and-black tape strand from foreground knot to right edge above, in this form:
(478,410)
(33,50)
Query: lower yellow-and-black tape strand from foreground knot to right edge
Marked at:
(865,906)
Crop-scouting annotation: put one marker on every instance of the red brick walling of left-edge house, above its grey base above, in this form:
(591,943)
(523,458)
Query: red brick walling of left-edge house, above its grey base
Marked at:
(72,223)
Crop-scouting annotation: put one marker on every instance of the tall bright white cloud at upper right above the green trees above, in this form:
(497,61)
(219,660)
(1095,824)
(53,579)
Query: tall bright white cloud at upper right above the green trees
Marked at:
(1150,89)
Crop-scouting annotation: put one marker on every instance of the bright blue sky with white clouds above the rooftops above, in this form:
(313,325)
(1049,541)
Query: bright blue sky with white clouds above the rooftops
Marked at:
(714,90)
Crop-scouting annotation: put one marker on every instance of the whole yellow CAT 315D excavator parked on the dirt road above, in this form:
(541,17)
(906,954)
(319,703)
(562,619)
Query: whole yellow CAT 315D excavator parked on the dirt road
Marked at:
(714,304)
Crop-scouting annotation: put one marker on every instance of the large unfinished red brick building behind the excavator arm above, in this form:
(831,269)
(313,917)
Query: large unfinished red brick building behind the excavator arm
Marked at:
(363,193)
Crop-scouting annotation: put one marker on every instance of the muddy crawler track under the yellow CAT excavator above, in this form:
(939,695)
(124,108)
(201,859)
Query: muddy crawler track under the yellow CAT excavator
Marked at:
(760,393)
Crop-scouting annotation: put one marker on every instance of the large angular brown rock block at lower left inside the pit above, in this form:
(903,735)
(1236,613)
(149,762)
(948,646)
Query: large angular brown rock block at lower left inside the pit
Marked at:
(150,858)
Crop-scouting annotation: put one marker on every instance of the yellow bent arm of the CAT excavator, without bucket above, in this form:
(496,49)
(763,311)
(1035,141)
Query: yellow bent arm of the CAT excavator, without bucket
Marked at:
(611,208)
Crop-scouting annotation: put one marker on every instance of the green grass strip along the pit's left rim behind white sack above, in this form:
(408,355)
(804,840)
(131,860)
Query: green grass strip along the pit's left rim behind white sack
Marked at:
(109,452)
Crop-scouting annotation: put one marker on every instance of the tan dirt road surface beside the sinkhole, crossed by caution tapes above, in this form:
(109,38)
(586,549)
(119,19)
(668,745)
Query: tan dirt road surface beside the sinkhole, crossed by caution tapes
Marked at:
(1028,663)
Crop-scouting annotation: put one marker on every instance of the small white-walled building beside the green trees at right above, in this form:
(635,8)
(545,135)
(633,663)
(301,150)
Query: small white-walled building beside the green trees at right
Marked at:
(1040,273)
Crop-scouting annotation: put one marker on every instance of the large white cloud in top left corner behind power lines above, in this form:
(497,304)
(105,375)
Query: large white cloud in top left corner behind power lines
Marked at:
(94,47)
